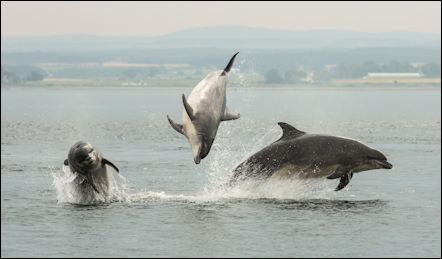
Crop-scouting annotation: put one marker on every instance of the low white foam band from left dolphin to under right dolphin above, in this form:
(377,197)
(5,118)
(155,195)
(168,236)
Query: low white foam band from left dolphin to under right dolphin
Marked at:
(68,191)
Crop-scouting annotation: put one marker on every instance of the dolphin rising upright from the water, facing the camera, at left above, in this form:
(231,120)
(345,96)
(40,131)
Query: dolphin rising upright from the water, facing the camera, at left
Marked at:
(87,162)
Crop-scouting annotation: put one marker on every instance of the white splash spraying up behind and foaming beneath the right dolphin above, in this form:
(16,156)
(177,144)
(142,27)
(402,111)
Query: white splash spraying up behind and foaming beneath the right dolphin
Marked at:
(220,169)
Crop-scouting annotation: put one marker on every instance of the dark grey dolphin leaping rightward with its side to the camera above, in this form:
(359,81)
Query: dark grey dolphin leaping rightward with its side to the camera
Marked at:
(310,156)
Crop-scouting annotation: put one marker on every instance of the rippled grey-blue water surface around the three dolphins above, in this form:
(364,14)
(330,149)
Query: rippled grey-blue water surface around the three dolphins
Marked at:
(168,206)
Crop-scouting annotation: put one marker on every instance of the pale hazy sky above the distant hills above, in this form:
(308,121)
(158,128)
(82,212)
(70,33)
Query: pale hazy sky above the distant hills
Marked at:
(145,19)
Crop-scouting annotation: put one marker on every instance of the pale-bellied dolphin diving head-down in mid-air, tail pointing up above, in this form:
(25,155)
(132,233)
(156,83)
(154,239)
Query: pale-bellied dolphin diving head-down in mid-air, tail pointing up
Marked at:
(204,110)
